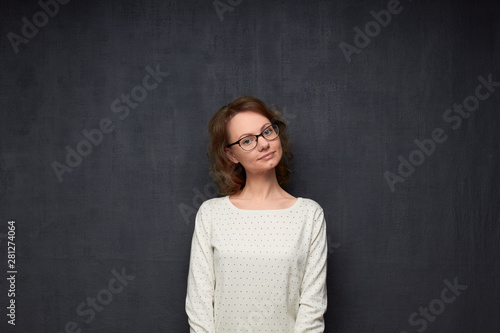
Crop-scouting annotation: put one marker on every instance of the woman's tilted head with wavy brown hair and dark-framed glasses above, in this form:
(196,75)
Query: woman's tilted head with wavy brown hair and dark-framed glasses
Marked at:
(244,116)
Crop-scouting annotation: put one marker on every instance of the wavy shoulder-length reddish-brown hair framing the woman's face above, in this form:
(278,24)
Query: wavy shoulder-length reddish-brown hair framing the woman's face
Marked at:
(230,177)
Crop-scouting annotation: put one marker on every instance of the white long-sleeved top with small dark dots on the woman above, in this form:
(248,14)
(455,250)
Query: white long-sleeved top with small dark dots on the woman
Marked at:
(257,270)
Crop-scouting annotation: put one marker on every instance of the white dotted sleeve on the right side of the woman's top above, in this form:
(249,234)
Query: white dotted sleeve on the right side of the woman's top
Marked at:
(313,296)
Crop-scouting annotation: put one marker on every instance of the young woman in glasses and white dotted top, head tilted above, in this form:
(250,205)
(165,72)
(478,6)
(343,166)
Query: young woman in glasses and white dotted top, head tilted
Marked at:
(258,254)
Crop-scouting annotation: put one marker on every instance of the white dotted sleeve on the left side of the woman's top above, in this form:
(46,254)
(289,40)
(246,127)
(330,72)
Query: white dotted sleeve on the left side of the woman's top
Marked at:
(201,277)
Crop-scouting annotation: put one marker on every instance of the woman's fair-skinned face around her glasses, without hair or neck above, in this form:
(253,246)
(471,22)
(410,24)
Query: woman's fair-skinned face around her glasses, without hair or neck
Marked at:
(266,155)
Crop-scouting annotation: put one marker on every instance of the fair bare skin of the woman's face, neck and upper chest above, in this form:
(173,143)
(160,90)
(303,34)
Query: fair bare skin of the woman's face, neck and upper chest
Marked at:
(261,190)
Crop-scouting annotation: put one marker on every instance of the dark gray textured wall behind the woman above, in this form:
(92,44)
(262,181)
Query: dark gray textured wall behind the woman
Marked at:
(130,203)
